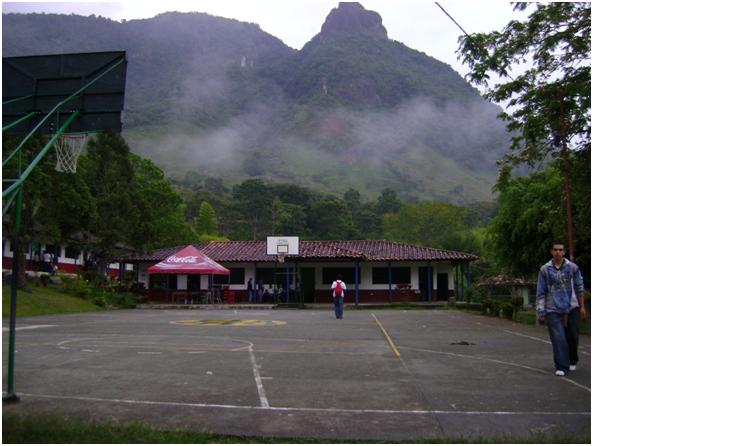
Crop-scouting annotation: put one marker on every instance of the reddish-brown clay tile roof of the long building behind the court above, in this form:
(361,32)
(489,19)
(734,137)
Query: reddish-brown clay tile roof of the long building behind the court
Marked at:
(364,250)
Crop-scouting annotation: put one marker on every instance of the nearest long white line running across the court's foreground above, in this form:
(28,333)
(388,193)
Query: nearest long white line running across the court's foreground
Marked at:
(306,409)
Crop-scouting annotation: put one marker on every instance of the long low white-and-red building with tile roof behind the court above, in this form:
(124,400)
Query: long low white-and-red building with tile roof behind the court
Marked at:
(374,271)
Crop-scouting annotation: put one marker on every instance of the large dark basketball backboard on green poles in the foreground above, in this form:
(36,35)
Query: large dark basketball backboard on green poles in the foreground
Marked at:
(39,83)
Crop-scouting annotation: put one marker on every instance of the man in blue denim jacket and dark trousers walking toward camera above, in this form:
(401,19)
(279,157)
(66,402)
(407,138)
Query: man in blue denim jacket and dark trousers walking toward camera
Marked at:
(560,304)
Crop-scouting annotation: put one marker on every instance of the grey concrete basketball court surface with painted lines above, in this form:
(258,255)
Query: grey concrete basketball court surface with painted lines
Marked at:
(375,375)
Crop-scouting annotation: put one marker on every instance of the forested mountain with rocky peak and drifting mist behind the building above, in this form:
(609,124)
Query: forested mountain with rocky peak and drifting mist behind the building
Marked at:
(352,108)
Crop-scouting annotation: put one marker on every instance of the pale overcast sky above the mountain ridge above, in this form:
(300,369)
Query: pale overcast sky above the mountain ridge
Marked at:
(420,25)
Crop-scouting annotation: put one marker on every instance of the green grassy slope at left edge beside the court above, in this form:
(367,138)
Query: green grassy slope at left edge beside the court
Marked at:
(45,300)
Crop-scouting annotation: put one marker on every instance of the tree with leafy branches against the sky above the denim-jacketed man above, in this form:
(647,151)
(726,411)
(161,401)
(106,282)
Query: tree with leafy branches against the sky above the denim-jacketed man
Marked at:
(550,101)
